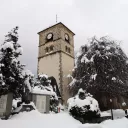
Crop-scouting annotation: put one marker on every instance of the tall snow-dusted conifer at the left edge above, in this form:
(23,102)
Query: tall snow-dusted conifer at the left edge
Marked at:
(10,67)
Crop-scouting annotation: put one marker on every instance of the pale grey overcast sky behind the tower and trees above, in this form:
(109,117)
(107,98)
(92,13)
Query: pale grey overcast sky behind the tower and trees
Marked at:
(85,18)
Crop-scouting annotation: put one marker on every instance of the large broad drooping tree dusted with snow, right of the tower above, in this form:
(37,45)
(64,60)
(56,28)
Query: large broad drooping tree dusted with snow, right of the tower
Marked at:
(101,67)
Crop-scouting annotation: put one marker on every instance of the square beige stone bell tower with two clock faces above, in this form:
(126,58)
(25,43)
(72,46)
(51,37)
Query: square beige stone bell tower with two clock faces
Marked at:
(56,55)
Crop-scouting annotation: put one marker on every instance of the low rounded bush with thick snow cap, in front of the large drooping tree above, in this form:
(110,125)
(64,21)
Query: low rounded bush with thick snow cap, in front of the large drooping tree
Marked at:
(83,106)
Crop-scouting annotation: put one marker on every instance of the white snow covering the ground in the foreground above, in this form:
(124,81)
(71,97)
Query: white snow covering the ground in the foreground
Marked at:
(34,119)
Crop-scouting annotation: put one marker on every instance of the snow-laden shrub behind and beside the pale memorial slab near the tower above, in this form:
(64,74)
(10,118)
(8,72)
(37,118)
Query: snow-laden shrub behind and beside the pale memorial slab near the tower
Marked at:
(43,85)
